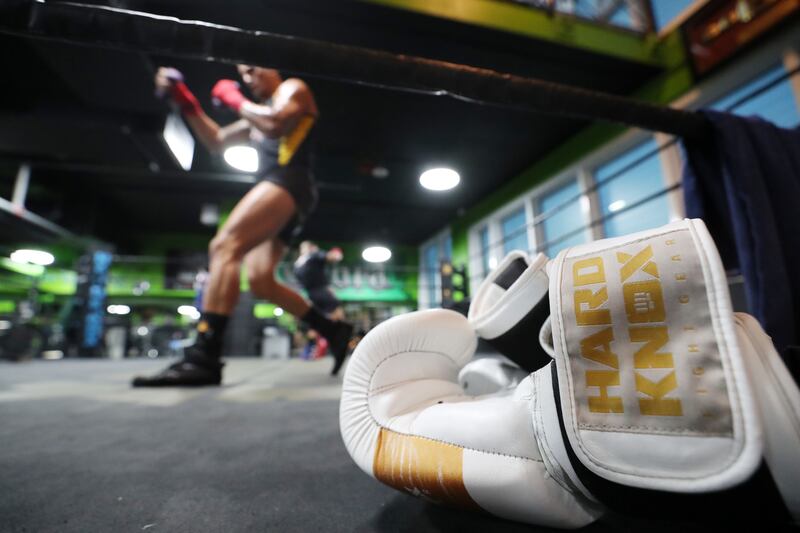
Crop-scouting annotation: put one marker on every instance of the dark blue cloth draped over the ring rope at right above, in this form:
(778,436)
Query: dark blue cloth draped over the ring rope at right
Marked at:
(744,182)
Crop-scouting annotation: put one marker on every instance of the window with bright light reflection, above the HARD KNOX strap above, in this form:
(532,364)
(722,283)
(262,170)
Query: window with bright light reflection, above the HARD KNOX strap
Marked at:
(627,180)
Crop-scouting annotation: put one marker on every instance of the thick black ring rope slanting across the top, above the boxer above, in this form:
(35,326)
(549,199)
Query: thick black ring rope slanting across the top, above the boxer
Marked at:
(144,32)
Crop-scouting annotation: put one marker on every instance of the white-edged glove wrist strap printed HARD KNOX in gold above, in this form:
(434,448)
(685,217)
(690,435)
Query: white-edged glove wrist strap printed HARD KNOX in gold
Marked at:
(652,385)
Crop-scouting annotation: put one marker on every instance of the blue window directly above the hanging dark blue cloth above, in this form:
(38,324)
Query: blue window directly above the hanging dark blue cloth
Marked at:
(776,104)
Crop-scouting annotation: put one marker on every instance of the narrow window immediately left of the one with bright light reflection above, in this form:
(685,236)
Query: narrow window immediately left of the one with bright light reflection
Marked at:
(564,224)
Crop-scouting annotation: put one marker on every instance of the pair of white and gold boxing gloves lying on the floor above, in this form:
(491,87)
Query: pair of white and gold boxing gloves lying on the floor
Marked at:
(642,392)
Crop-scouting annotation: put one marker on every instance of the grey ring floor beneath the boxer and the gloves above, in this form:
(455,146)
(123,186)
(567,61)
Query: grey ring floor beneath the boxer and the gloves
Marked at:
(82,451)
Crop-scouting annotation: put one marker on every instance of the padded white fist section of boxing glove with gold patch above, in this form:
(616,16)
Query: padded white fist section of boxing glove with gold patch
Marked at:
(406,422)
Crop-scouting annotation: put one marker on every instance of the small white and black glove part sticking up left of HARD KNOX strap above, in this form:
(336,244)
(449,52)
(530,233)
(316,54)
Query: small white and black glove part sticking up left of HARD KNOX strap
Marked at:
(510,307)
